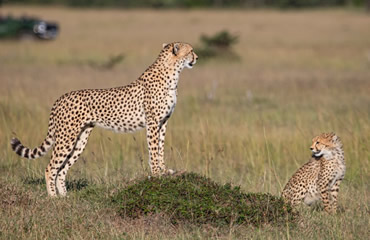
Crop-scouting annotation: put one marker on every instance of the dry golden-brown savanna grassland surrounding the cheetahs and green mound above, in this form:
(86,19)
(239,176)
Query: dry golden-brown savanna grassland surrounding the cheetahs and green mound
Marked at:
(248,122)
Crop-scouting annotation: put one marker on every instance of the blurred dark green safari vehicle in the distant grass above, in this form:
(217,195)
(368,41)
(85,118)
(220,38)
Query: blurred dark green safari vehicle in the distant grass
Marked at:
(27,27)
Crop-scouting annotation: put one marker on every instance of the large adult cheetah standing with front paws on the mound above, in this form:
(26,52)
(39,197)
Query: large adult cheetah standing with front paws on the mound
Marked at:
(147,102)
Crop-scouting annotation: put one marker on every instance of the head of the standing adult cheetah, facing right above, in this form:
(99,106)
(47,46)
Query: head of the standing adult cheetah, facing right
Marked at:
(179,54)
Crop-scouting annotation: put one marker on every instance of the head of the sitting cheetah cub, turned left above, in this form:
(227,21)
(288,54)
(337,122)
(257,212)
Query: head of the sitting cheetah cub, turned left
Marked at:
(324,144)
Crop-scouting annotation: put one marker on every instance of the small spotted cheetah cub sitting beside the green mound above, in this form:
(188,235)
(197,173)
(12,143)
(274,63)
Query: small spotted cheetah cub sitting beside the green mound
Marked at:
(319,179)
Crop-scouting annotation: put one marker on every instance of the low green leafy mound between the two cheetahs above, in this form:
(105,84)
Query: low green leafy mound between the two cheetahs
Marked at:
(196,199)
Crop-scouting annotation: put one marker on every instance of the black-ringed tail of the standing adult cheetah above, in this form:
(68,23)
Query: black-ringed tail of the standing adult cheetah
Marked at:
(31,153)
